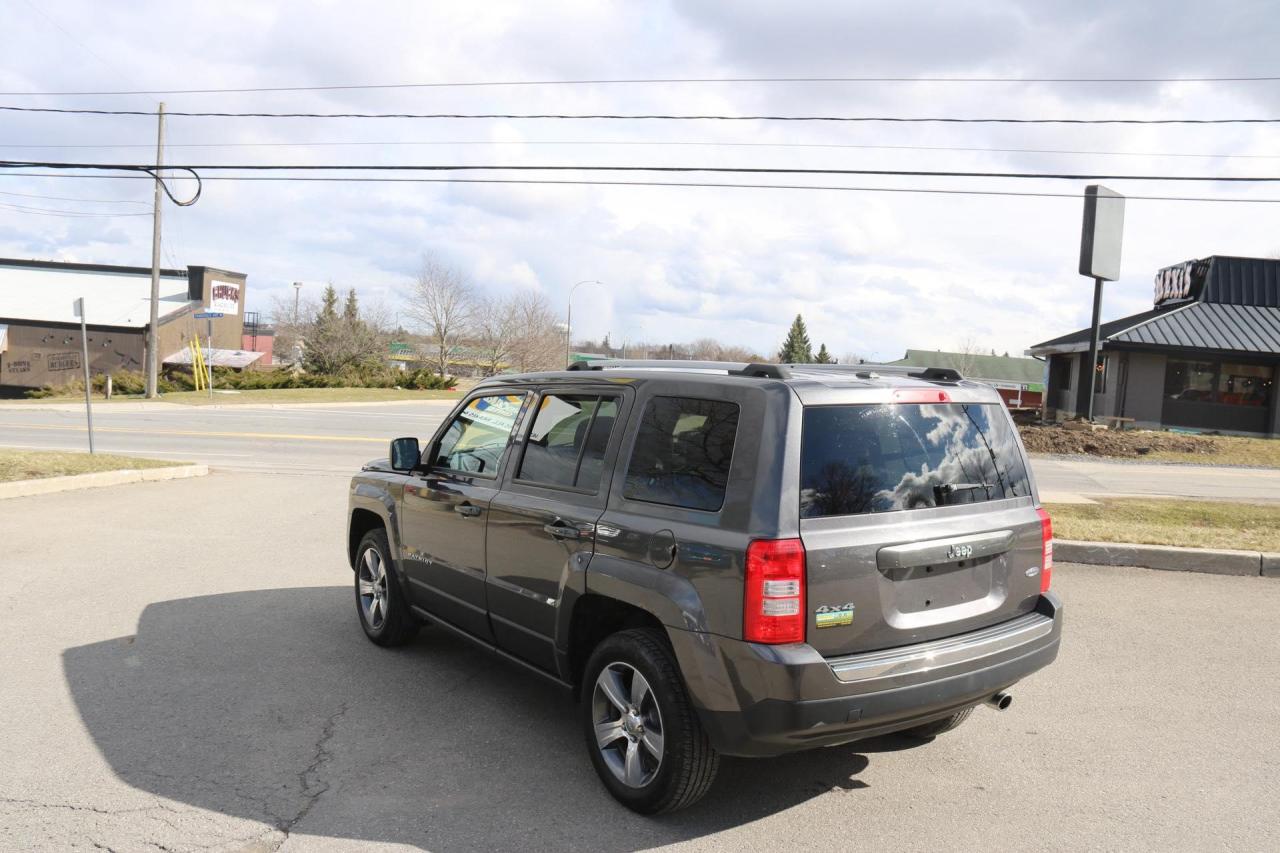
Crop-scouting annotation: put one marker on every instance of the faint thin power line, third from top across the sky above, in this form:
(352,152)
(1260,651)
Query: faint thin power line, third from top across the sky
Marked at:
(652,144)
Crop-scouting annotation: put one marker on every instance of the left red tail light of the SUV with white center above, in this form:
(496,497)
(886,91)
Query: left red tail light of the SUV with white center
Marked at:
(774,601)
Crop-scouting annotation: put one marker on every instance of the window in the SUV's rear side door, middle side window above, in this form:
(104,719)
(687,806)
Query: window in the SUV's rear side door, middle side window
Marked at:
(568,441)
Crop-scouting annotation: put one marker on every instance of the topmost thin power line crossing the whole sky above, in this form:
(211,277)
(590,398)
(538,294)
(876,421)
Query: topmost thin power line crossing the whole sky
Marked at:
(637,81)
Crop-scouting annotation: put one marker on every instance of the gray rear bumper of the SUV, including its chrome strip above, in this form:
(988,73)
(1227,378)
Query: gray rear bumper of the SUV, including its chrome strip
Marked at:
(771,700)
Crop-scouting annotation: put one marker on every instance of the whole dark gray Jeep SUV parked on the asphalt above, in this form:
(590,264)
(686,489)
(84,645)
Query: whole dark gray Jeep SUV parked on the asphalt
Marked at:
(721,559)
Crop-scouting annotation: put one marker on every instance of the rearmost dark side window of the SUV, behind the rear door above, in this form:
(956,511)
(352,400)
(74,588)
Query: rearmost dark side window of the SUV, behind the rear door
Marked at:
(683,453)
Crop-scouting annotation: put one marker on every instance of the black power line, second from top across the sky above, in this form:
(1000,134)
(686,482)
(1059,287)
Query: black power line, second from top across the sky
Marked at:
(659,117)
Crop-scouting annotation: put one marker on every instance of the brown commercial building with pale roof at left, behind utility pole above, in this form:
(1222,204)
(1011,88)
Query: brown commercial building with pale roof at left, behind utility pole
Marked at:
(40,335)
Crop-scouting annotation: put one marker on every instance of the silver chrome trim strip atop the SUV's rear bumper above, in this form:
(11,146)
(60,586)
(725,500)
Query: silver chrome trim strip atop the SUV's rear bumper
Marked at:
(945,653)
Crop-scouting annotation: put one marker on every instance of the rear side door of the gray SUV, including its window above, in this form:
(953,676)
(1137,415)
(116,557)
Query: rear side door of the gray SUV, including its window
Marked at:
(542,526)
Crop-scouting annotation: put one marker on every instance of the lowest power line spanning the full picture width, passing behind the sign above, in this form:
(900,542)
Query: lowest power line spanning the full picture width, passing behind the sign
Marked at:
(646,184)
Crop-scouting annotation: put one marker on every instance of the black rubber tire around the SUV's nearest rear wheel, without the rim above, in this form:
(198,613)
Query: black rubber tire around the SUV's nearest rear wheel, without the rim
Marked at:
(619,650)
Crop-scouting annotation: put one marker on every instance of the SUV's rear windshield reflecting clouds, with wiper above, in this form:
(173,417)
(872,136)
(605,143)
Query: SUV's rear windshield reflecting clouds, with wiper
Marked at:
(879,459)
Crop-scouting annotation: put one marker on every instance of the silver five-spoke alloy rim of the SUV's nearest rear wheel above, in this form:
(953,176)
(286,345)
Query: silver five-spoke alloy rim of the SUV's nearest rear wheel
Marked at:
(629,731)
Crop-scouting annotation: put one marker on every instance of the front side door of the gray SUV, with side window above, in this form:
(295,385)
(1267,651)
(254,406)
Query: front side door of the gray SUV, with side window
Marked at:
(446,509)
